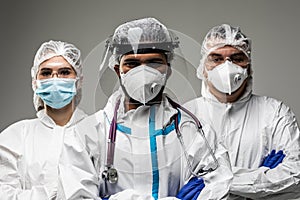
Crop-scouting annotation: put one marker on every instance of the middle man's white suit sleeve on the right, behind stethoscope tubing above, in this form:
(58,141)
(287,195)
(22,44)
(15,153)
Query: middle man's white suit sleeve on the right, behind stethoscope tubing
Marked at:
(217,182)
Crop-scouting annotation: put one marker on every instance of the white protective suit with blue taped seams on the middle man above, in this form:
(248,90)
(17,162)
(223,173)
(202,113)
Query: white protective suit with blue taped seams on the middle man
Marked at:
(149,159)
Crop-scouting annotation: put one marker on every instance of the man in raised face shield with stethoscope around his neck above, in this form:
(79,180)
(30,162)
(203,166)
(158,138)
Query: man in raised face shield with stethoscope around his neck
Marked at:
(145,150)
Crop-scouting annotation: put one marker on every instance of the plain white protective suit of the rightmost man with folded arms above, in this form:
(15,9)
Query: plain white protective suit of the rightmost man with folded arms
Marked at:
(250,128)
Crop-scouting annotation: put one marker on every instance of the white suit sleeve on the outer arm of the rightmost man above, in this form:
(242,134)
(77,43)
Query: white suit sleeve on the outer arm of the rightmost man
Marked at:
(281,182)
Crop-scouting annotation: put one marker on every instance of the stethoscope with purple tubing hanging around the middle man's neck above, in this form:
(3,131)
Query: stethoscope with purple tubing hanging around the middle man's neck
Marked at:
(110,173)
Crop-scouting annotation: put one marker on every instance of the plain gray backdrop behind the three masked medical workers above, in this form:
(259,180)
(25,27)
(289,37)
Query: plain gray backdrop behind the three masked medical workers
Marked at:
(272,25)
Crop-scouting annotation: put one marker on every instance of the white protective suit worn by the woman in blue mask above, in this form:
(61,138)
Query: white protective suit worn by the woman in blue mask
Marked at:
(29,154)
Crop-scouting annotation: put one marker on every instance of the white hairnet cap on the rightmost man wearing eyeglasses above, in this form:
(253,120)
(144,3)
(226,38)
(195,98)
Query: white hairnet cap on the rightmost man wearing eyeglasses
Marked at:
(220,36)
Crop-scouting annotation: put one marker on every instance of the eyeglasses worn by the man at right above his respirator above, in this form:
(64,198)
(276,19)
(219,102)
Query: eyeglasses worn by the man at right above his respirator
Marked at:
(238,58)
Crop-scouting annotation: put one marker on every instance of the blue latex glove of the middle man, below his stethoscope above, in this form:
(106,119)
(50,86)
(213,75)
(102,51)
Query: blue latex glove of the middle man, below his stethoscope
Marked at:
(191,190)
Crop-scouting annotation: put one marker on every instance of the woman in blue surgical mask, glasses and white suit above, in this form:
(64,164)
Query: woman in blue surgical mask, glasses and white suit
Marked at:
(30,149)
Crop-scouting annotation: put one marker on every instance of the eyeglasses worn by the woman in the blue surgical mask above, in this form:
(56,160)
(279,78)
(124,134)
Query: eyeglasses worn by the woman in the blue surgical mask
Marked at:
(65,72)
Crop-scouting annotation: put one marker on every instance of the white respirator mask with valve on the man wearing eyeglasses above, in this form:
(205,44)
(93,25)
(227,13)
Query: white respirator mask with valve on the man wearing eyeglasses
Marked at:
(227,77)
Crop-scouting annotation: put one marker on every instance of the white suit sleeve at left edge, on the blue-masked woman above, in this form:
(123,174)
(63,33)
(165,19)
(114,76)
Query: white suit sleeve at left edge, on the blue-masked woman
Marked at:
(12,173)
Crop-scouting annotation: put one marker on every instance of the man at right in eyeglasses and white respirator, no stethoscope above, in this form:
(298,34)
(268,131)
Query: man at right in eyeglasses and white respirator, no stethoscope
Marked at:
(261,133)
